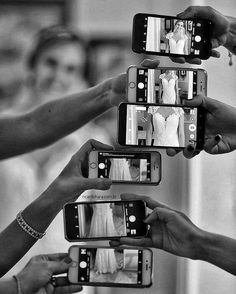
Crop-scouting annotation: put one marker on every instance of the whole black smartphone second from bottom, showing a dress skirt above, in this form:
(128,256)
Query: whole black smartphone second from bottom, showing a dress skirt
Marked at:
(104,220)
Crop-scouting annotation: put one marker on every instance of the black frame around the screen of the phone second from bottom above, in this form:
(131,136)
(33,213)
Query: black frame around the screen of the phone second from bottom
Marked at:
(68,221)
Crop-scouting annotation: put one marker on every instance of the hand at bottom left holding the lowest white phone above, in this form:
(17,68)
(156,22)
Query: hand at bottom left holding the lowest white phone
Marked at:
(37,275)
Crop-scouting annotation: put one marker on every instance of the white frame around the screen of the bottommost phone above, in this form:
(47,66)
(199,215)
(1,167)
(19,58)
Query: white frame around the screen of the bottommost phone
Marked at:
(73,270)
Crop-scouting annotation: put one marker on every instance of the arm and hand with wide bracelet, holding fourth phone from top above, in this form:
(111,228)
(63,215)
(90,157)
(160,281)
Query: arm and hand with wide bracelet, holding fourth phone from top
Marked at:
(67,187)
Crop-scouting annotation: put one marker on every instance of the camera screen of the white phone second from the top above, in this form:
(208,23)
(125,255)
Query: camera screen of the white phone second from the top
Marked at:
(165,86)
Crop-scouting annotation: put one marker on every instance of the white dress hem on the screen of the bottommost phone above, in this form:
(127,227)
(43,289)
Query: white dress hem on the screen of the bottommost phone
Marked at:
(105,261)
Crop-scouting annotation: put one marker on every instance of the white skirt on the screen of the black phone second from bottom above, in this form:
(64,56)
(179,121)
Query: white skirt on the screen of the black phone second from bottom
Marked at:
(102,223)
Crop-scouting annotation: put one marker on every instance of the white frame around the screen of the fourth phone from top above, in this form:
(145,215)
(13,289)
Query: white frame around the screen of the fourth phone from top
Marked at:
(93,172)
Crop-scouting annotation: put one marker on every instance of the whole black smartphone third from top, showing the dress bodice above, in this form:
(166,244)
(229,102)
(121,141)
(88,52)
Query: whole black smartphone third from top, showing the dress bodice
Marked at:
(162,126)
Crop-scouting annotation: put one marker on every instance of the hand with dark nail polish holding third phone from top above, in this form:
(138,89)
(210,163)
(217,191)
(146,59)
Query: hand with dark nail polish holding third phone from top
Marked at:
(220,126)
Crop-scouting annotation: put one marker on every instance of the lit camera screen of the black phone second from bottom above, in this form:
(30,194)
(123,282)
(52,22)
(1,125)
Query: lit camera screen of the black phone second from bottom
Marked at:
(110,219)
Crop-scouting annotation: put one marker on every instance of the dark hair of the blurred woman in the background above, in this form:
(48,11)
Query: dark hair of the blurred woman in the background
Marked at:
(49,36)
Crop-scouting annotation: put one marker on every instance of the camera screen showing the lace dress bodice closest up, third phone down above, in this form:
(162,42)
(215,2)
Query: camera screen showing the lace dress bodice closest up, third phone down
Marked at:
(161,126)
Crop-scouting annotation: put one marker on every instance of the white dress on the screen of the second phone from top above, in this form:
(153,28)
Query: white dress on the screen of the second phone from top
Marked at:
(169,93)
